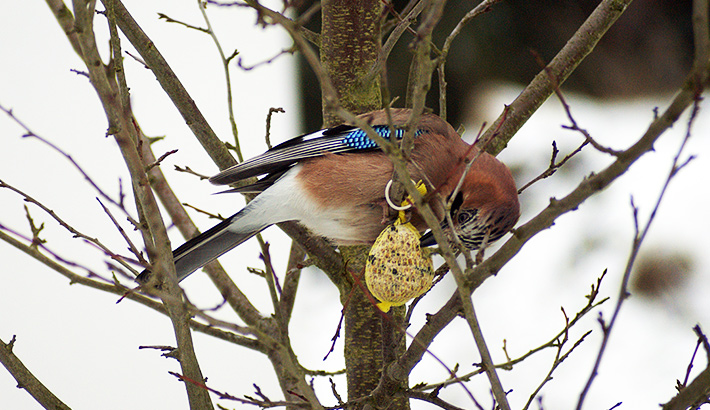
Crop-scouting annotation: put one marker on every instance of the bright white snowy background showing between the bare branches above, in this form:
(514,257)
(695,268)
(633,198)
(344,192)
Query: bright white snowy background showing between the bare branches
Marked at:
(84,347)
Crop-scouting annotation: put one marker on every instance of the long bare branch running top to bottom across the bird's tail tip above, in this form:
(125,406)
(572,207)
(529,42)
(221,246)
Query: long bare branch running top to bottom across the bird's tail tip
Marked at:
(113,94)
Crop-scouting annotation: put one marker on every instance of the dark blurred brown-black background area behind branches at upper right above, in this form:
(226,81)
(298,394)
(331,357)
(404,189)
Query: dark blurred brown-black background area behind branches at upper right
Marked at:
(648,51)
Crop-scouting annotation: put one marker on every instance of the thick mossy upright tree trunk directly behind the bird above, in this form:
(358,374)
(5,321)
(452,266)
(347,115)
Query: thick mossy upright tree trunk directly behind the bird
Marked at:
(350,43)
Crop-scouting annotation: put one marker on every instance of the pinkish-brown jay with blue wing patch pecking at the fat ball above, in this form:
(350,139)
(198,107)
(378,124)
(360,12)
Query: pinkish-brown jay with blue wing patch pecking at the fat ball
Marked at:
(333,182)
